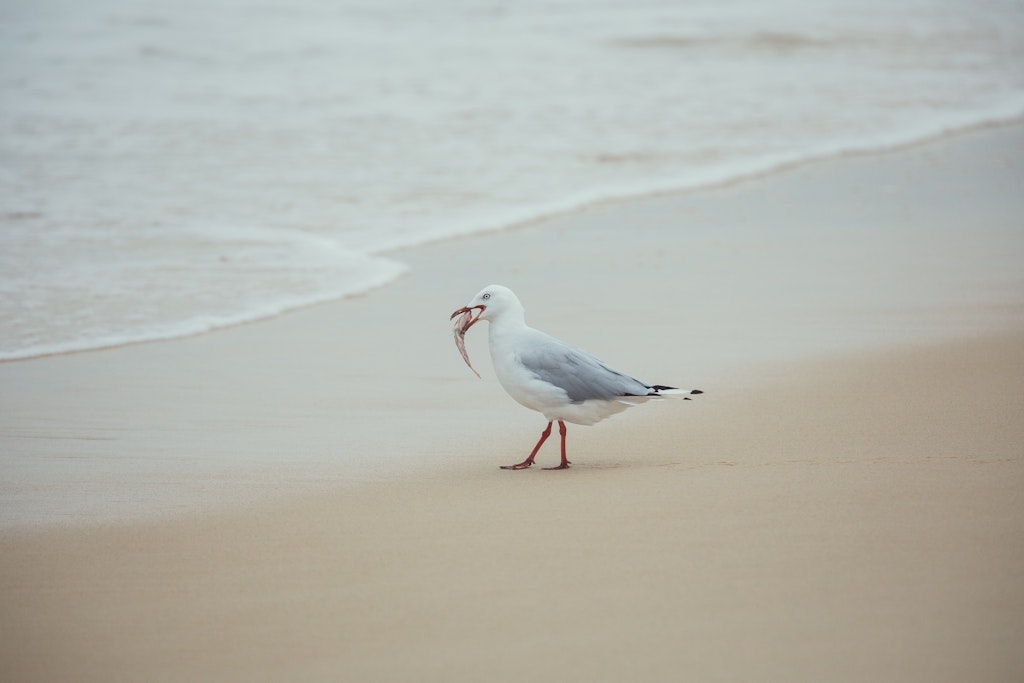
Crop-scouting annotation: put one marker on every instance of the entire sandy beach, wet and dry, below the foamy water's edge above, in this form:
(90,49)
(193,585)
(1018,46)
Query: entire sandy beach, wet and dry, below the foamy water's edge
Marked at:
(317,497)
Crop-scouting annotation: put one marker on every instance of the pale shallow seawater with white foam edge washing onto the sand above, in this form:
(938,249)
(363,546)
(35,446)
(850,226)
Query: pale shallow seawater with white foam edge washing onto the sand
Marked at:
(170,169)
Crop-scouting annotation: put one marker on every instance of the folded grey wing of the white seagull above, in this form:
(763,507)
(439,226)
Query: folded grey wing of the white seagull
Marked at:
(581,375)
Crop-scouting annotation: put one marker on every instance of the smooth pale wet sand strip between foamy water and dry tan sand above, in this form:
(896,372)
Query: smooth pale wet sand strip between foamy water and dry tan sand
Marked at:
(310,400)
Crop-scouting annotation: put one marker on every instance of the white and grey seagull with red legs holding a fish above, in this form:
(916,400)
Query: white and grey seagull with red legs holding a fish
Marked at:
(562,382)
